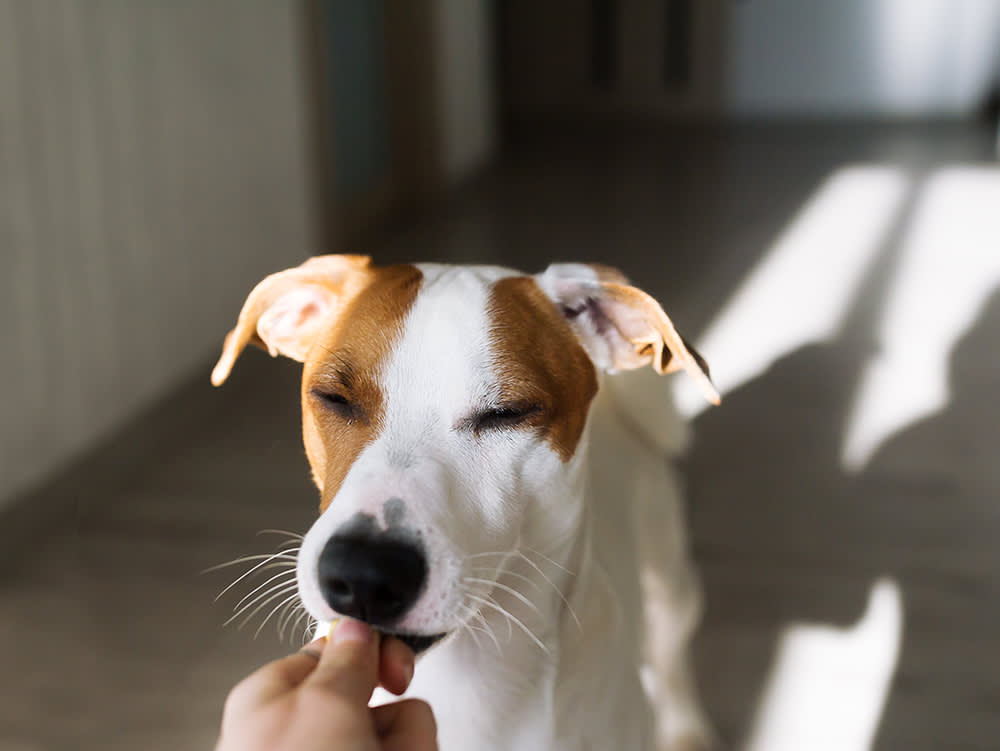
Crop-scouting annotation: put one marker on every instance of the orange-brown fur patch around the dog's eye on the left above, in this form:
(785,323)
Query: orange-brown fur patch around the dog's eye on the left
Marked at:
(346,360)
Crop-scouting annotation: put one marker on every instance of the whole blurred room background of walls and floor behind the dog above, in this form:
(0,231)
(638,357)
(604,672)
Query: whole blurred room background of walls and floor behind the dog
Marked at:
(810,187)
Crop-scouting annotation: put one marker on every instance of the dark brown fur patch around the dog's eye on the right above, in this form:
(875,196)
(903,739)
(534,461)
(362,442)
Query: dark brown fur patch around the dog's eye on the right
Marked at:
(540,361)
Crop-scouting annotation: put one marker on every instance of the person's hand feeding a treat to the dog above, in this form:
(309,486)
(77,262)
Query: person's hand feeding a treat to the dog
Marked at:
(317,699)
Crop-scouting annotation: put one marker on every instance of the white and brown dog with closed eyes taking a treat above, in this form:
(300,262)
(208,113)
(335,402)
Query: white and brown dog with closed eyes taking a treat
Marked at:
(492,455)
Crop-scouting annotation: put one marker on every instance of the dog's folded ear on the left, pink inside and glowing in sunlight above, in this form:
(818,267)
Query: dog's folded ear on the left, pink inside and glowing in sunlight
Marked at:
(284,312)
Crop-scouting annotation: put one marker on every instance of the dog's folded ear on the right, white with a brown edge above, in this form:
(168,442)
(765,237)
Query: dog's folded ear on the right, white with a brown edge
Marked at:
(620,326)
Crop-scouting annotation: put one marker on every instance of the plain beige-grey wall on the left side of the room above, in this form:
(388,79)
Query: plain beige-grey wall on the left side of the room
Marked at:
(152,169)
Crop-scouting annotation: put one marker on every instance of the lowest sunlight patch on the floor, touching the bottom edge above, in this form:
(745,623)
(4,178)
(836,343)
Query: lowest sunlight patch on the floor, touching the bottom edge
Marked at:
(828,686)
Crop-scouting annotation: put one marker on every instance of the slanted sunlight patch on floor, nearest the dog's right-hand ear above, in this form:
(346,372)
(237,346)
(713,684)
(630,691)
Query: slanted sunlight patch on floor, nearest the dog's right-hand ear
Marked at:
(800,292)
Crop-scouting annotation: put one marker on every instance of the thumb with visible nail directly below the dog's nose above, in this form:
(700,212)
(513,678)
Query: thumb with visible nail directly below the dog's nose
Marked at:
(349,664)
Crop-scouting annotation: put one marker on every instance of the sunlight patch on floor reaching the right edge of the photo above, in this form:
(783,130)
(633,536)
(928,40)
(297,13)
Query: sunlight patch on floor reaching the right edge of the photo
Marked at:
(950,265)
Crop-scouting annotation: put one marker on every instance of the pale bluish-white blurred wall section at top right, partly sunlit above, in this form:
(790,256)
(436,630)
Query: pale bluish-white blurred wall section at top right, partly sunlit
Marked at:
(868,57)
